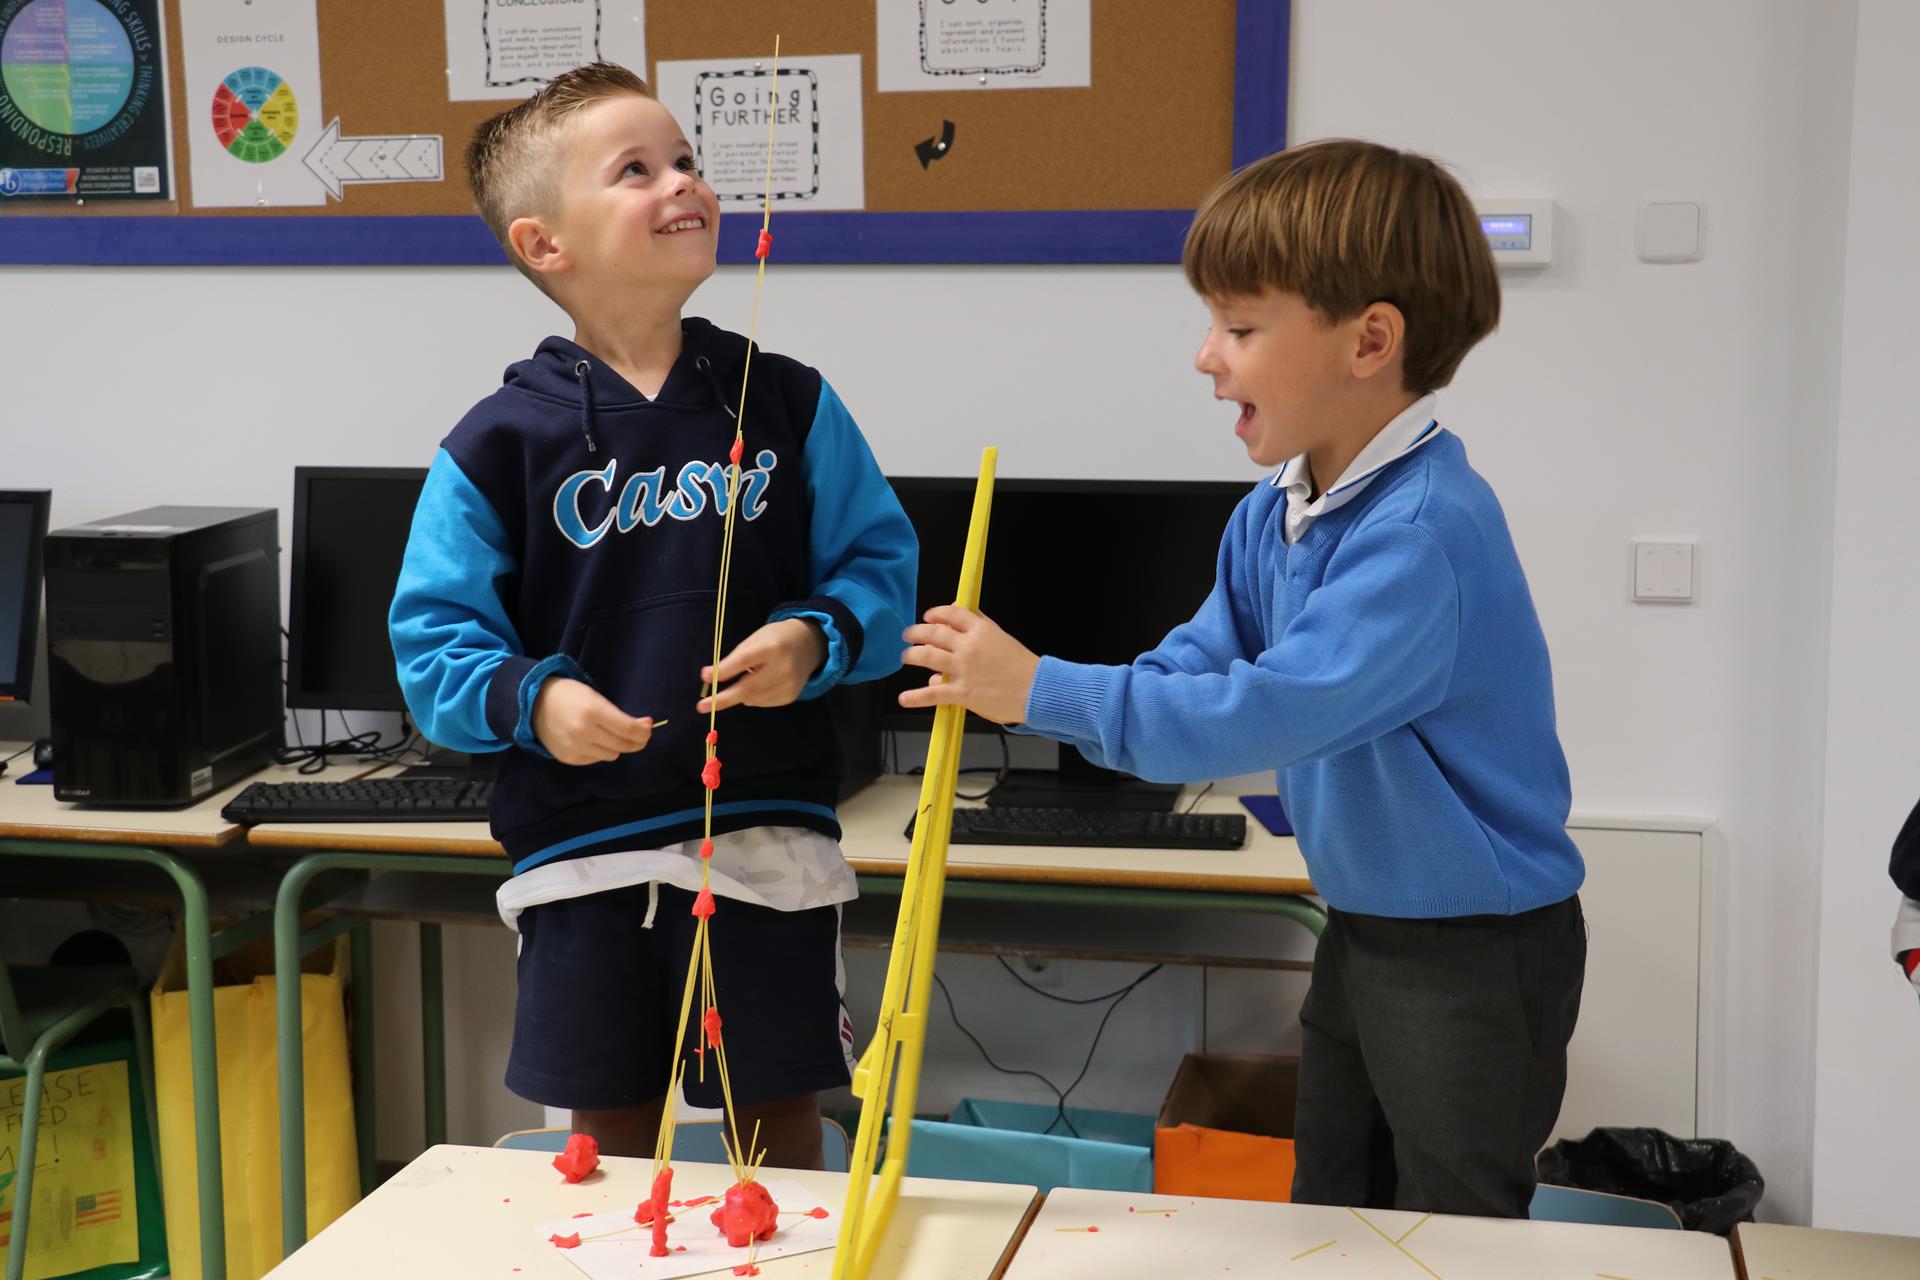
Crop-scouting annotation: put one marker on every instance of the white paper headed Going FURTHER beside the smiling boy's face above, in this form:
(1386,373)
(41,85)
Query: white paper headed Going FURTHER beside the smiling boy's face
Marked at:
(815,107)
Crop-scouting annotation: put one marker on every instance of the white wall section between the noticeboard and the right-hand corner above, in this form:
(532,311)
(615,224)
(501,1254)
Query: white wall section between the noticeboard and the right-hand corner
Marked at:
(1627,400)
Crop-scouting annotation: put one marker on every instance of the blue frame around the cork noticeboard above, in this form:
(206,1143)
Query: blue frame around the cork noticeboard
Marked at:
(439,241)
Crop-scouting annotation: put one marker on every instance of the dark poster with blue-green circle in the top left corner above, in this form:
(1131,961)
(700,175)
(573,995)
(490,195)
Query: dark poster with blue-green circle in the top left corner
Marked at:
(84,101)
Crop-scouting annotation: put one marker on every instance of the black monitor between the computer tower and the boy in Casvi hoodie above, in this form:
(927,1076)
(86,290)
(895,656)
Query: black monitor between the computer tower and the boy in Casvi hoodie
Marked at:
(350,534)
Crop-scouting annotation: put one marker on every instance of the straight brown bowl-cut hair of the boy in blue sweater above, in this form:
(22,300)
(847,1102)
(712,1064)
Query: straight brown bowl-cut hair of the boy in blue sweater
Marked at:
(1349,224)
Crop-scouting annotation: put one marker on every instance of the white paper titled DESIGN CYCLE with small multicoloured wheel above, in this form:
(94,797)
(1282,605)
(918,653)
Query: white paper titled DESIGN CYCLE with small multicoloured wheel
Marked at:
(252,103)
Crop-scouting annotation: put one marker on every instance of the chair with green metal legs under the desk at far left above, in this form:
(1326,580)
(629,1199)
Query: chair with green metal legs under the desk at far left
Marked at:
(41,1008)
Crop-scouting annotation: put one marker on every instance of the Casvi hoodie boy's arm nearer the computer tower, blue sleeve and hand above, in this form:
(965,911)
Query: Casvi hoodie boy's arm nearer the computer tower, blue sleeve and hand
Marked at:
(458,653)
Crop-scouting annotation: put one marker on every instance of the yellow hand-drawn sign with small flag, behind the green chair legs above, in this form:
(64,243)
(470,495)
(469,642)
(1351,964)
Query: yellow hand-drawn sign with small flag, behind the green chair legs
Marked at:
(84,1179)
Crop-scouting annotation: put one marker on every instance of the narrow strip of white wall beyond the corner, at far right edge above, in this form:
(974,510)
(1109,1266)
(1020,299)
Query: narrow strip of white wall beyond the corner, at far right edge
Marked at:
(1869,1031)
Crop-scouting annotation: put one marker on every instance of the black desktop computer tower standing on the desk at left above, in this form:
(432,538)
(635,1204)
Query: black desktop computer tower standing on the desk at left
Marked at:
(164,653)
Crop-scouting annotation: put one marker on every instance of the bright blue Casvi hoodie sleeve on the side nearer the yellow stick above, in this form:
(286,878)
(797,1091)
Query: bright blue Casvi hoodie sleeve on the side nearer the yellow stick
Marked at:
(863,554)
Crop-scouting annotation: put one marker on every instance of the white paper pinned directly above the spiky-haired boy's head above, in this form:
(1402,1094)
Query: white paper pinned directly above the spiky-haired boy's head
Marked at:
(508,49)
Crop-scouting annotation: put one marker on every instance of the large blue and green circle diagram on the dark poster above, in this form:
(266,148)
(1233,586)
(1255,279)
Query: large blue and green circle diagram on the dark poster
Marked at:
(68,64)
